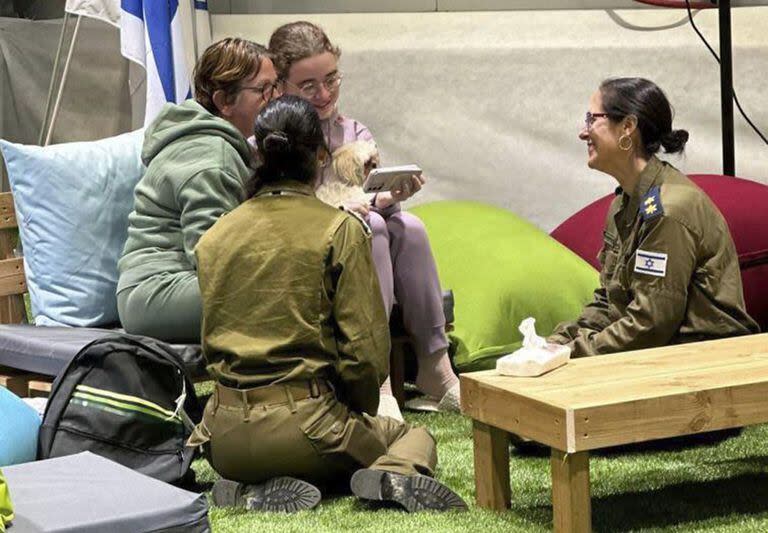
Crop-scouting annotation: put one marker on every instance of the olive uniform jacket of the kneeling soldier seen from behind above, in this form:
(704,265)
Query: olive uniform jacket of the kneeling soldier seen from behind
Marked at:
(290,293)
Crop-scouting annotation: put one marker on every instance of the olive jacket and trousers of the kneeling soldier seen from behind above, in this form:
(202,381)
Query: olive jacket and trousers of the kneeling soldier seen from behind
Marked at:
(296,336)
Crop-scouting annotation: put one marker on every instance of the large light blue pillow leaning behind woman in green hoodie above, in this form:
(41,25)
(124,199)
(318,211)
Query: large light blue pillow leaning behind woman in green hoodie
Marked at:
(72,204)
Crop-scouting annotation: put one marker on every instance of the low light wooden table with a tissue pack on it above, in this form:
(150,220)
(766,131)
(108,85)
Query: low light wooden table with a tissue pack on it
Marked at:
(598,402)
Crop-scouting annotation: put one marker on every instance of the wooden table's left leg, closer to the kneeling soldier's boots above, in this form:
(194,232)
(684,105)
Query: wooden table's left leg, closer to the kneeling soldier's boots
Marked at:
(491,466)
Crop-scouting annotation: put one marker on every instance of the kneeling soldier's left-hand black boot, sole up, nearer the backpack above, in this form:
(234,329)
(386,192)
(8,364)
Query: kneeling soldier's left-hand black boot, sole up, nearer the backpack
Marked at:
(282,494)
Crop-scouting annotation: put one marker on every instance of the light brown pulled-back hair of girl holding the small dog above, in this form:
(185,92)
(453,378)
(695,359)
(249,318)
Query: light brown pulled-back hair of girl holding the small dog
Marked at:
(296,41)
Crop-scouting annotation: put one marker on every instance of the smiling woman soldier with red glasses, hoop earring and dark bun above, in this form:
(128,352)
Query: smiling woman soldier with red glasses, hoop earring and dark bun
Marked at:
(670,273)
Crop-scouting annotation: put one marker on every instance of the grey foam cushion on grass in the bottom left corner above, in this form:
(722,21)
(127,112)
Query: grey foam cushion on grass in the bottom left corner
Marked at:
(87,493)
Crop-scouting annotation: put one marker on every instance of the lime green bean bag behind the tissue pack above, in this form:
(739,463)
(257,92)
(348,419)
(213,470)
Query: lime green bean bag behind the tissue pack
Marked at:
(501,269)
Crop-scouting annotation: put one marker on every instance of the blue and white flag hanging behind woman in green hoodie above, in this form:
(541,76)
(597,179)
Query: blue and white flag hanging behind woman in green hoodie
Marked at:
(150,35)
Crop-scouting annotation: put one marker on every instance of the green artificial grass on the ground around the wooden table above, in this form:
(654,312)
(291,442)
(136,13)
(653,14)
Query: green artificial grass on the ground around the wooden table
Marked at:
(722,487)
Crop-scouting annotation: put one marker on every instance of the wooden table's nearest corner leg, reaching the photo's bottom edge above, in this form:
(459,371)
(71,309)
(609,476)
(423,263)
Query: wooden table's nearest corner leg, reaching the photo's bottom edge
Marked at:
(571,504)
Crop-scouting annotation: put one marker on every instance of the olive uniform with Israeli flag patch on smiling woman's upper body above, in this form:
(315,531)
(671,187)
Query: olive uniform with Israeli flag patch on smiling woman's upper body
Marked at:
(670,273)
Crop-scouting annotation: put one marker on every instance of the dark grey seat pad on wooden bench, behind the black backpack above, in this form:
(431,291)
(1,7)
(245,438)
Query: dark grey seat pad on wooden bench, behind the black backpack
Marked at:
(47,350)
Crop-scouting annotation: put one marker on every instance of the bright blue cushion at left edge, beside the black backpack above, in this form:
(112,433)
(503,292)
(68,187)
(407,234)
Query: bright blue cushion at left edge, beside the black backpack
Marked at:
(18,430)
